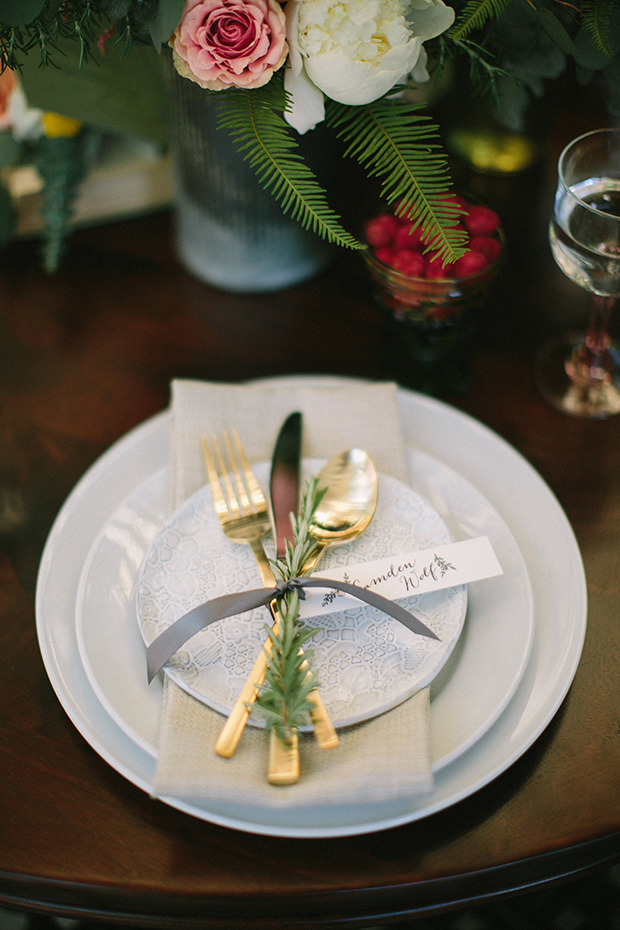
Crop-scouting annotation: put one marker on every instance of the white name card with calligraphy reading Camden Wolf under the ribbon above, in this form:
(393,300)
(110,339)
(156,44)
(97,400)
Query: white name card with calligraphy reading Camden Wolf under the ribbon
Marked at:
(407,575)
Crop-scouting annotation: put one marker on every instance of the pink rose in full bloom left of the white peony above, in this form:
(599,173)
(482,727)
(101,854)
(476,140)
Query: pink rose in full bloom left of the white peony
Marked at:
(230,43)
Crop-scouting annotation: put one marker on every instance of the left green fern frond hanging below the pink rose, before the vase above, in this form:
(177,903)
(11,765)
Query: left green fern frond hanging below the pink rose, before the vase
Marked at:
(255,121)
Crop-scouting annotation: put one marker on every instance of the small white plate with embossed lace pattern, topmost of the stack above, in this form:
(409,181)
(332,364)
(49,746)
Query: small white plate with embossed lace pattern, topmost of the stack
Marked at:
(366,662)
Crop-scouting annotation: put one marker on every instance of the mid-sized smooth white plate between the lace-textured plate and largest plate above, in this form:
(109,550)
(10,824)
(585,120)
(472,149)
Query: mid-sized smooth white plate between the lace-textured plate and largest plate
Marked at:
(466,699)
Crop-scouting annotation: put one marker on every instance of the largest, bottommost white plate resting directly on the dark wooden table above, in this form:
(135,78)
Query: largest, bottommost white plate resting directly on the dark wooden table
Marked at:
(474,452)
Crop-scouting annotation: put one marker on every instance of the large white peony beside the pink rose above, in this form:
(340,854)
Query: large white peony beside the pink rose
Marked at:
(354,51)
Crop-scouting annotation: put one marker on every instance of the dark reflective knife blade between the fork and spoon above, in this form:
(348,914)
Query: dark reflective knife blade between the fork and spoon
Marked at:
(284,480)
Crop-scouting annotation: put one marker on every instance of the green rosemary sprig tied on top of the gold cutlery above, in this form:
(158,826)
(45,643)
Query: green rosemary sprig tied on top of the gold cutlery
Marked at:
(284,696)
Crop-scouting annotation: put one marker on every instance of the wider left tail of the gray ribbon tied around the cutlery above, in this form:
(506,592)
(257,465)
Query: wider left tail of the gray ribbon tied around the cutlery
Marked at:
(199,618)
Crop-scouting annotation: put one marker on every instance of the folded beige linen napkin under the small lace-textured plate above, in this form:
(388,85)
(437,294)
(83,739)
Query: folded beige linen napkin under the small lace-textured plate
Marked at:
(381,759)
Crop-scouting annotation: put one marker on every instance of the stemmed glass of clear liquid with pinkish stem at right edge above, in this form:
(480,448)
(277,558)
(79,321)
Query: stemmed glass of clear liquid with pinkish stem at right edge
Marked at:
(580,374)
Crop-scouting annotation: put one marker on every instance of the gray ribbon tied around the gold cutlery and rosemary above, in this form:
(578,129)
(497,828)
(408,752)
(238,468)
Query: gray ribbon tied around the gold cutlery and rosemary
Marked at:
(167,643)
